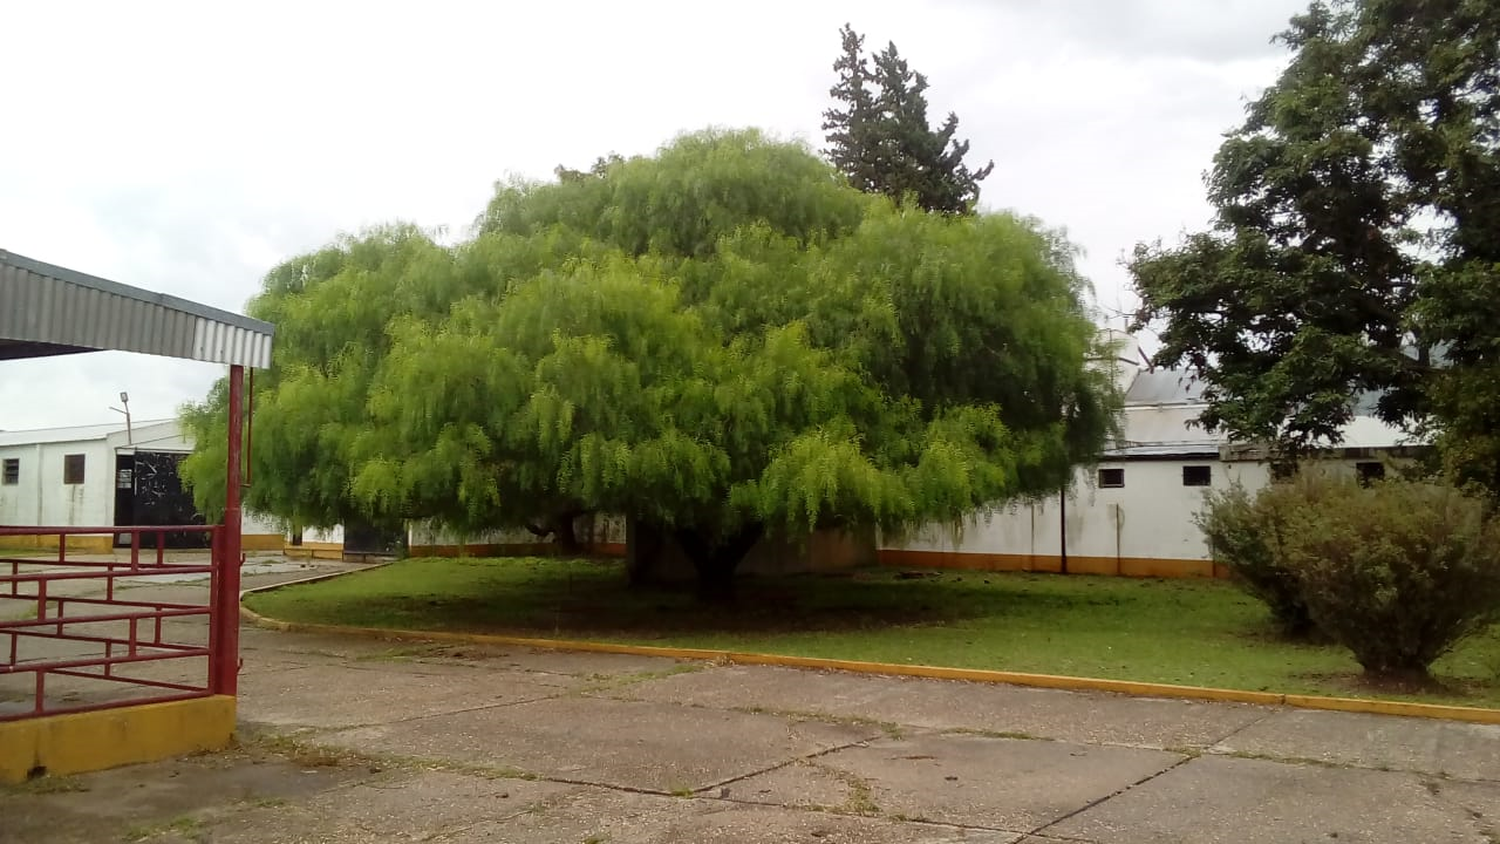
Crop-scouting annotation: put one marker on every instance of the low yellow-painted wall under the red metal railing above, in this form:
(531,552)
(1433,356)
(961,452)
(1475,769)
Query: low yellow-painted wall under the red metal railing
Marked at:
(94,741)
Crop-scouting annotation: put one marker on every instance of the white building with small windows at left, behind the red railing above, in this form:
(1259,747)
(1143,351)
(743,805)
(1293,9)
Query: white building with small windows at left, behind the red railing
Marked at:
(106,476)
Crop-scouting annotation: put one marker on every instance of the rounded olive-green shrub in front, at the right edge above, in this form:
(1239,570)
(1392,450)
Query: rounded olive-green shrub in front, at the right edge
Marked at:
(1397,572)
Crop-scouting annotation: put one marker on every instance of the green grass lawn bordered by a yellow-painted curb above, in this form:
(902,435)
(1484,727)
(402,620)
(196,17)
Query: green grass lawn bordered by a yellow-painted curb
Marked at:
(1177,632)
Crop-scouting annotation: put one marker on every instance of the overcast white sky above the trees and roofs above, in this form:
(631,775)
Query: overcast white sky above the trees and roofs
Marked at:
(188,148)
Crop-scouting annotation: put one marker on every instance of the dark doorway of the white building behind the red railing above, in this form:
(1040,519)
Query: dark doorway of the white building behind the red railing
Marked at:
(149,491)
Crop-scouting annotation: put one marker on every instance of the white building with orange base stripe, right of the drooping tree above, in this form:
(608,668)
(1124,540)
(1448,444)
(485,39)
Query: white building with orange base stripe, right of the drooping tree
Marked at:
(1136,512)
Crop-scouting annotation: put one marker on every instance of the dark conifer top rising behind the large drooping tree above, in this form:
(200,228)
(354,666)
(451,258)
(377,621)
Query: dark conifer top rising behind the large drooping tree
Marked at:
(880,137)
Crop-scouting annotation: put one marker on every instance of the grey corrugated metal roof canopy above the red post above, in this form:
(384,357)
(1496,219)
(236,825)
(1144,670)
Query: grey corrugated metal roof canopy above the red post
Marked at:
(52,311)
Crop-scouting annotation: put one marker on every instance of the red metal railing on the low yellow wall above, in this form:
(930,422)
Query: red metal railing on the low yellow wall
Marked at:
(86,624)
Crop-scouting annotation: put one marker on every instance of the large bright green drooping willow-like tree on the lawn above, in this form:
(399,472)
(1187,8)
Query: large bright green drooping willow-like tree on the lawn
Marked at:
(718,341)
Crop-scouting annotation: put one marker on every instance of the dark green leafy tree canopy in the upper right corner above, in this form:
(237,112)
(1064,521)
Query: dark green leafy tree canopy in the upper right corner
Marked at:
(1355,244)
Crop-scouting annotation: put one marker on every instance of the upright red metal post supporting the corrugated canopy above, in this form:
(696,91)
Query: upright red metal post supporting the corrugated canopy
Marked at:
(227,617)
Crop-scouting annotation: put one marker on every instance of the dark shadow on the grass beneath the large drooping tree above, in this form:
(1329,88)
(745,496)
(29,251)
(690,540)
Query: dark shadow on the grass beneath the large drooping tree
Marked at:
(592,597)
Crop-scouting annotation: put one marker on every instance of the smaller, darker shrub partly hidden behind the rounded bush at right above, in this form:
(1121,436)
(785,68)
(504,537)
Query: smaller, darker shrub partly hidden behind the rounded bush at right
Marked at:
(1243,534)
